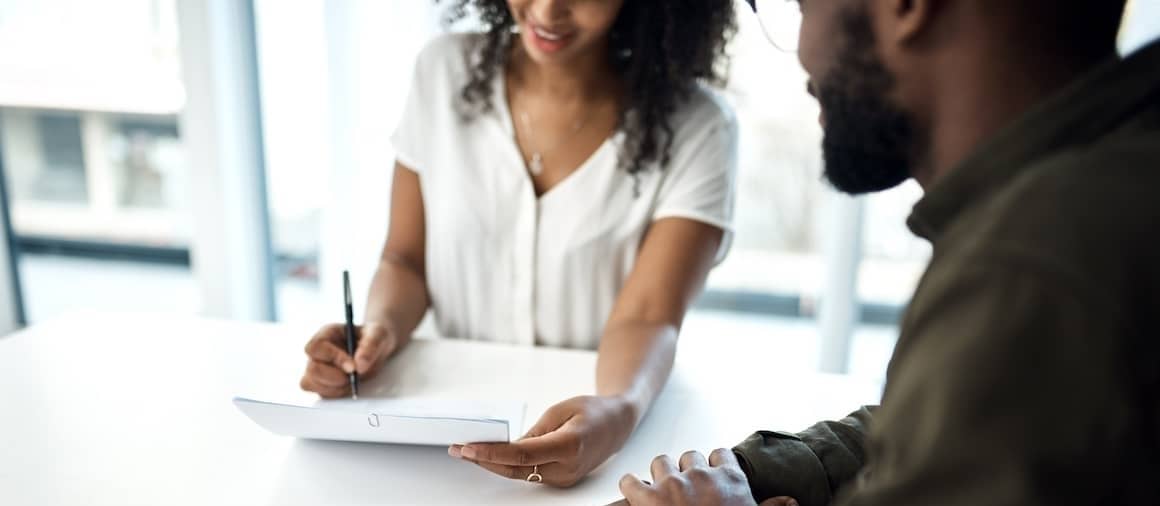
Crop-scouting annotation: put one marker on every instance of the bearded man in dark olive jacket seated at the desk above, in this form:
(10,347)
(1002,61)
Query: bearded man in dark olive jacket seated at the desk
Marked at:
(1027,370)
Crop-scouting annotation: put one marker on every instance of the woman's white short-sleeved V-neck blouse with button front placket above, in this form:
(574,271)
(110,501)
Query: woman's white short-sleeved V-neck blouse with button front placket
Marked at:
(506,266)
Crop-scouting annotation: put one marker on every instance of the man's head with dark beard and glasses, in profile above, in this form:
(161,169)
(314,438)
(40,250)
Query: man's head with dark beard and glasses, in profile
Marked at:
(886,70)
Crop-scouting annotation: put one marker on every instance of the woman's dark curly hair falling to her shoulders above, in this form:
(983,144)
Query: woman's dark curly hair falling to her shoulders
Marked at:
(661,49)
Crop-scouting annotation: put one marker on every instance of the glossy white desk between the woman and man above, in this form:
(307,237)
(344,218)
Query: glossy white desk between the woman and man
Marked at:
(135,410)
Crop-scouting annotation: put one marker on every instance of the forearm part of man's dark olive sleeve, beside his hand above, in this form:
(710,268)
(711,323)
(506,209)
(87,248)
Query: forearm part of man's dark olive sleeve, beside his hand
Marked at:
(810,466)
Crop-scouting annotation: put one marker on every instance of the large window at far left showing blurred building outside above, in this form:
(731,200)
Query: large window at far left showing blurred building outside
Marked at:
(90,97)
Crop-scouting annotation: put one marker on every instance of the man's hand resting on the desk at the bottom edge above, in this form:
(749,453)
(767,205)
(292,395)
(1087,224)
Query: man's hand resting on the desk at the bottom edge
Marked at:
(716,482)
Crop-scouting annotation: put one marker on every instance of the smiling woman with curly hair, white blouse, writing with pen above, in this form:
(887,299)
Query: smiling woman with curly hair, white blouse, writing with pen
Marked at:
(562,179)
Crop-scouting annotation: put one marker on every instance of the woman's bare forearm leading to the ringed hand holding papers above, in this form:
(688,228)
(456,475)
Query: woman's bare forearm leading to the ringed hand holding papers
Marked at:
(634,363)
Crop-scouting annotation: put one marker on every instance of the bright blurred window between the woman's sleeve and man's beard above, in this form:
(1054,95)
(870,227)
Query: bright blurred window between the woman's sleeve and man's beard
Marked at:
(778,263)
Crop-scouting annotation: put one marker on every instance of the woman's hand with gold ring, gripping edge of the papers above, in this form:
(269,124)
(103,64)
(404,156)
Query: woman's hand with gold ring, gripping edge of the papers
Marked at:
(568,443)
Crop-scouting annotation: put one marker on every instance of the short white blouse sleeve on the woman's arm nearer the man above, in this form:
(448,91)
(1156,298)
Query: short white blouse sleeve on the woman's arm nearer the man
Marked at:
(702,172)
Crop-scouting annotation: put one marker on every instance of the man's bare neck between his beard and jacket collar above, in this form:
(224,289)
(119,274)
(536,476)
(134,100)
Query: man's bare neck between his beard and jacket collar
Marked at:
(983,96)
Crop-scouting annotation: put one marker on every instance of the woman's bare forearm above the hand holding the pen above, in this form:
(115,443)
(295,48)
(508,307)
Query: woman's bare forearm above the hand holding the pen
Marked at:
(398,297)
